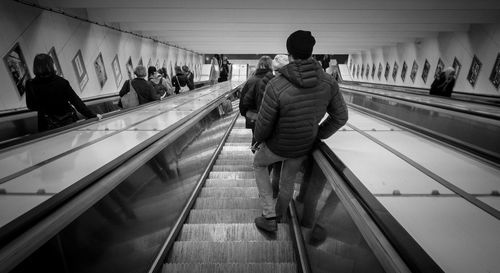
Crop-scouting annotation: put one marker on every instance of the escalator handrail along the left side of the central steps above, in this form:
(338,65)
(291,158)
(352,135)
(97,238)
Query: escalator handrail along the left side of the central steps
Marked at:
(43,225)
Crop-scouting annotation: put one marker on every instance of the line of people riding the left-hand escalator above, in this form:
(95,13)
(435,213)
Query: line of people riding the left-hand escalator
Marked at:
(57,103)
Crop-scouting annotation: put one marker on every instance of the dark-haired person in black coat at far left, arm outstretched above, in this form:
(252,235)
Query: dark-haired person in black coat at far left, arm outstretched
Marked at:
(52,97)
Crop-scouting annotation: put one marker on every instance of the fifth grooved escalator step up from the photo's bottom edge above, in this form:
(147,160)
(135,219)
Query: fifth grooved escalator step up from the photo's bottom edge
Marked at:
(227,203)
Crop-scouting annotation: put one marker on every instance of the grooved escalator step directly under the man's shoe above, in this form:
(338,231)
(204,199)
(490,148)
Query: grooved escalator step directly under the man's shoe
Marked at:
(231,232)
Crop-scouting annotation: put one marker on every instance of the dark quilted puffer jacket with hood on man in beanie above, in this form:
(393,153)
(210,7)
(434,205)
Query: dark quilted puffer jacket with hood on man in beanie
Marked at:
(293,106)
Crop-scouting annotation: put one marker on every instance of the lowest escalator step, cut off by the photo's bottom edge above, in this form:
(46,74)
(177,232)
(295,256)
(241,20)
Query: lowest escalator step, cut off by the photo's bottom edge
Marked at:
(230,268)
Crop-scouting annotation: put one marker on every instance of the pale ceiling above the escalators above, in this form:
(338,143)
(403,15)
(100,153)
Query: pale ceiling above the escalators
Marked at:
(262,26)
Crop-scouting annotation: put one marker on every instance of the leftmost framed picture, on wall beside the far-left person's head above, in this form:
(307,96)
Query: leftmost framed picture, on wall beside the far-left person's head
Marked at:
(17,68)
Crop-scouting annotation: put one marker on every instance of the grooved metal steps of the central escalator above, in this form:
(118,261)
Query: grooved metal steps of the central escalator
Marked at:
(219,234)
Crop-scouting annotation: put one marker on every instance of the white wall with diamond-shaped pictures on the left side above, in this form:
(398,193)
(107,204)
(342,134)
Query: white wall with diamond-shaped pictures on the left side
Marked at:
(38,31)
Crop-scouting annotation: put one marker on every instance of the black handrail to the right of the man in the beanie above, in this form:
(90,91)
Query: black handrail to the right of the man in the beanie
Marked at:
(412,254)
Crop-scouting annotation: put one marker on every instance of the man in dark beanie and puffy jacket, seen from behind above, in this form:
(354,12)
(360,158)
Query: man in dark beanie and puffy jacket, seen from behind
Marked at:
(288,123)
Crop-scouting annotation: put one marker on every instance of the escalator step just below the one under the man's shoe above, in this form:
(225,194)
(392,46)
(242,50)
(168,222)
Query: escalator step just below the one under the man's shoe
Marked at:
(232,252)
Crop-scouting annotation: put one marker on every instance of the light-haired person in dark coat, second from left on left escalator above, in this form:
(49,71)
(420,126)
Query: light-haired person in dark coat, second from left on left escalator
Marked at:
(144,89)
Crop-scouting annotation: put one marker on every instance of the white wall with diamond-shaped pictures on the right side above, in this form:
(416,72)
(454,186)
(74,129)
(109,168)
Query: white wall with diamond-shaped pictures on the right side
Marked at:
(481,40)
